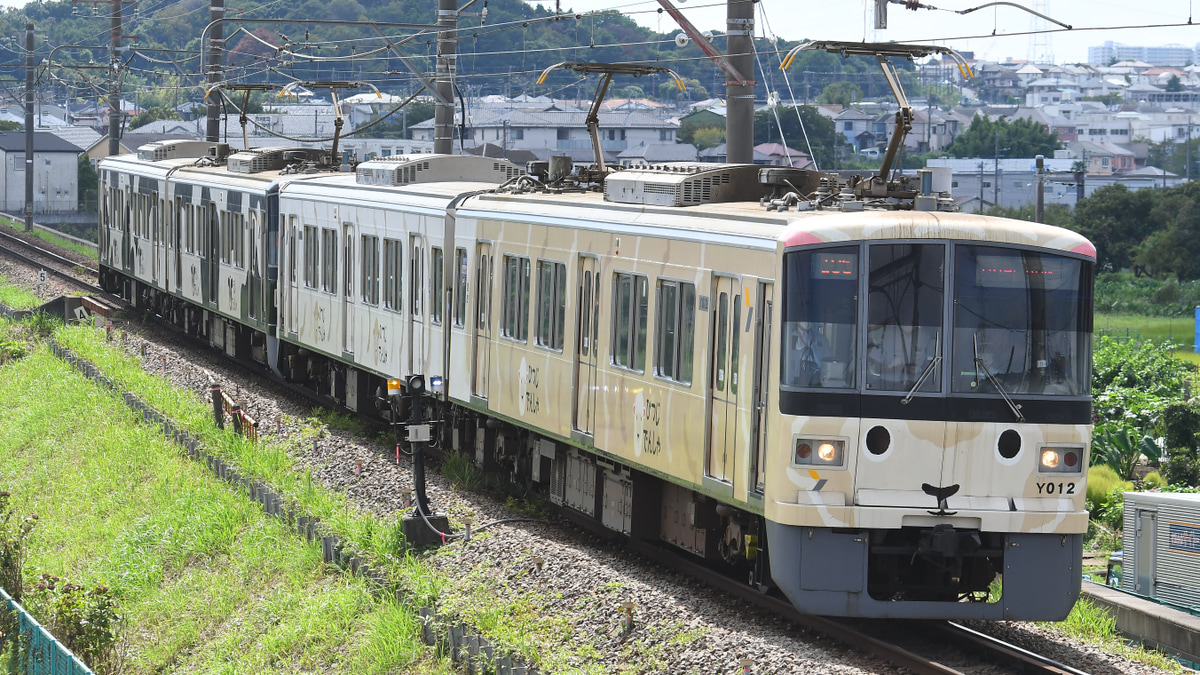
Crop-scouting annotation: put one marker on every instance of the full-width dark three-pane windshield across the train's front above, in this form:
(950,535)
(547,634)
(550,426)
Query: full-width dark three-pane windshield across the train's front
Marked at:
(938,319)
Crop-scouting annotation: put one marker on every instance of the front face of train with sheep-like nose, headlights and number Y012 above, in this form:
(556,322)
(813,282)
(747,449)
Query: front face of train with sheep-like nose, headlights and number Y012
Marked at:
(931,447)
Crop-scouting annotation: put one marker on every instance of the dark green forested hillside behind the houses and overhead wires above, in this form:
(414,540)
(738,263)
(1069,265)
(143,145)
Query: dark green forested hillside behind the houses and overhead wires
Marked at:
(517,41)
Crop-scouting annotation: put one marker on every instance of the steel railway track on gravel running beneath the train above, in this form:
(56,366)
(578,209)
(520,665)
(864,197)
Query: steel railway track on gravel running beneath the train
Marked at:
(861,636)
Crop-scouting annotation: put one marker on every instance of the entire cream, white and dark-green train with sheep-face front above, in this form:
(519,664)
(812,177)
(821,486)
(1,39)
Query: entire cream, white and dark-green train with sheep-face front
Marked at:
(878,409)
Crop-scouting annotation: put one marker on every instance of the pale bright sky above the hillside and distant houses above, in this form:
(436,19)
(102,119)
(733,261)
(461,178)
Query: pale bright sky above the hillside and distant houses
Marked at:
(1094,23)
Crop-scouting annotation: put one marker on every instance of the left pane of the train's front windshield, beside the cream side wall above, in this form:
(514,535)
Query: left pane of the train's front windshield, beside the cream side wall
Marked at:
(820,332)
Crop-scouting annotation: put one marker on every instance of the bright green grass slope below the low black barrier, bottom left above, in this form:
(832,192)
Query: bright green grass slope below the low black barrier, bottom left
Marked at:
(207,582)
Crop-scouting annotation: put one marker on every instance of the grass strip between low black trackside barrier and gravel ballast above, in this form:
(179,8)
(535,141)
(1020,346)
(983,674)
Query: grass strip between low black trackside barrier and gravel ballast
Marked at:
(518,624)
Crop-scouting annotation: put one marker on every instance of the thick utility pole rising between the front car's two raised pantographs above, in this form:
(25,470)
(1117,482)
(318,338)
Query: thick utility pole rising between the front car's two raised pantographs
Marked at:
(740,95)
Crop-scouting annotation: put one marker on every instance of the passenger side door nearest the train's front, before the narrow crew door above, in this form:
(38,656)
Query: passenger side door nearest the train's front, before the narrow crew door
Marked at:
(723,379)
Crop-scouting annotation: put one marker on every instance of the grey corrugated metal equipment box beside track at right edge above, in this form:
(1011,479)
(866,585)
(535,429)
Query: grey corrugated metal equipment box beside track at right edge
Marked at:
(1162,547)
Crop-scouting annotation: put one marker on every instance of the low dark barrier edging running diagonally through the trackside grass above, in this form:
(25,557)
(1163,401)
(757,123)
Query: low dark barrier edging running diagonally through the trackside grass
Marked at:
(466,649)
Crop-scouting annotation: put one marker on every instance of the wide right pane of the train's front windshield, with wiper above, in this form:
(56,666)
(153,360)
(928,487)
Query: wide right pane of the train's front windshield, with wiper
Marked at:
(1021,324)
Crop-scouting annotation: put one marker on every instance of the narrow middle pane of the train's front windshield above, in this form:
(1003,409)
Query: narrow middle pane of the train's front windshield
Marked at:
(904,318)
